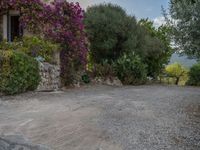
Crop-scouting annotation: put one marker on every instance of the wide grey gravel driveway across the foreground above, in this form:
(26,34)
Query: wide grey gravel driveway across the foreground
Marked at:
(153,117)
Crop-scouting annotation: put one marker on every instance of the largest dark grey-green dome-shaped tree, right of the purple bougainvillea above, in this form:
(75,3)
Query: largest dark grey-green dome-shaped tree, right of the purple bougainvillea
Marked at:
(111,32)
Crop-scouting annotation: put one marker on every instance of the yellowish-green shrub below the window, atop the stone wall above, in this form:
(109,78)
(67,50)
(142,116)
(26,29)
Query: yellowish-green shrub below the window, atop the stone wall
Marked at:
(33,46)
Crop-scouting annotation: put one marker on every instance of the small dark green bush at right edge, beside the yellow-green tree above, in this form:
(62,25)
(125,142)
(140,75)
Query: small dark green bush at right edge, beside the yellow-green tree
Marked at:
(194,75)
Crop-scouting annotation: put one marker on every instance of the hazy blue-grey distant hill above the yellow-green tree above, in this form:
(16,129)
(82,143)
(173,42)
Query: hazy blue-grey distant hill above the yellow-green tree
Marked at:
(182,60)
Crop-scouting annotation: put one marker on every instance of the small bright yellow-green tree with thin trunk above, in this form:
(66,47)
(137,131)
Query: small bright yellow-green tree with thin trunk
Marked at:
(176,71)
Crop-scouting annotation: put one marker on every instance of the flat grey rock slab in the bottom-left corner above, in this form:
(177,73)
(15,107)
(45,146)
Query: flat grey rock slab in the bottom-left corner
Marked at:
(18,142)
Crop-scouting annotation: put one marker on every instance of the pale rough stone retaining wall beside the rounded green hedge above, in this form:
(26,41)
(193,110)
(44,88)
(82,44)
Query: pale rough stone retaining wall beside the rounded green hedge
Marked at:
(50,77)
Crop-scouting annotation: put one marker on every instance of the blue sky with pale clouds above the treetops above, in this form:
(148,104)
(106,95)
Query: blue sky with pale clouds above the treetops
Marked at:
(139,8)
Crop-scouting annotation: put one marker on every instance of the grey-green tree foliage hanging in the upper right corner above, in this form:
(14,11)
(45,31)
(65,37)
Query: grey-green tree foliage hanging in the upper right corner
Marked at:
(185,19)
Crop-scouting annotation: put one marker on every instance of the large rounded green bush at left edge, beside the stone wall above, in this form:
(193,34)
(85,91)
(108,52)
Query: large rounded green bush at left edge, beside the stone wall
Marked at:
(19,72)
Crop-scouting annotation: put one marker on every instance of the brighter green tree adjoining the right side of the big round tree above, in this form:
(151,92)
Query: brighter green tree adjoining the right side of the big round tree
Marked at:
(155,49)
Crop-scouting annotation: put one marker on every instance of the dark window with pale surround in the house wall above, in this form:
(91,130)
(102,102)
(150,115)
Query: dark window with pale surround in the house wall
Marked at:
(9,25)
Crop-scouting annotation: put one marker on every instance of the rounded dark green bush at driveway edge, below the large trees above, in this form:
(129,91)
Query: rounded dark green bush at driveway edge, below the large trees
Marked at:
(130,69)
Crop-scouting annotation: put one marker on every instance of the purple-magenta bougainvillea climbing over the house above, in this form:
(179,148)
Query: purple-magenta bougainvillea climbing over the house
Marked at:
(59,21)
